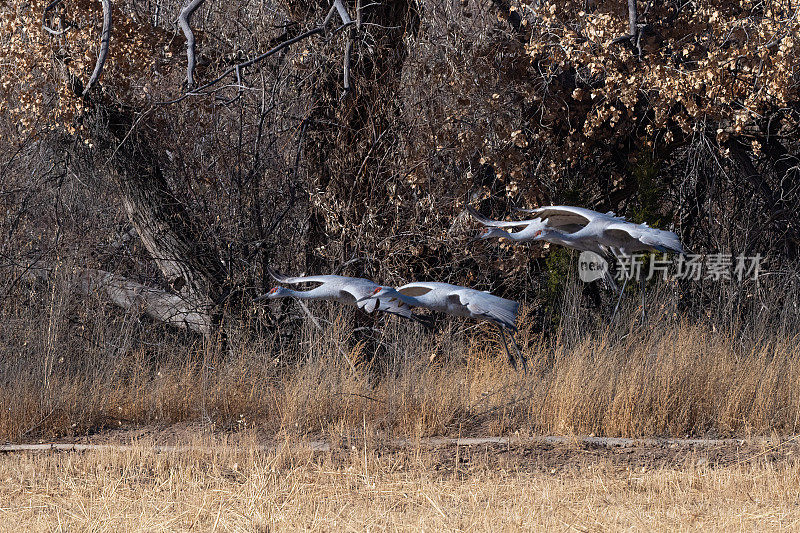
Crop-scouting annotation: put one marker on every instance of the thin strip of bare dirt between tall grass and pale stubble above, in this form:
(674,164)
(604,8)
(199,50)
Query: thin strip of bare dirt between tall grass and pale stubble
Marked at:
(548,454)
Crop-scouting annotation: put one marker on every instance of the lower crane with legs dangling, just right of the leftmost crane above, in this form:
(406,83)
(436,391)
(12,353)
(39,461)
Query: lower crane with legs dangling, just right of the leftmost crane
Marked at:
(461,301)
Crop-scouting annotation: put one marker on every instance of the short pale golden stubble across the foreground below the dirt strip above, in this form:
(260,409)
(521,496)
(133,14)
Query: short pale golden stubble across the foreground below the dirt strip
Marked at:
(362,488)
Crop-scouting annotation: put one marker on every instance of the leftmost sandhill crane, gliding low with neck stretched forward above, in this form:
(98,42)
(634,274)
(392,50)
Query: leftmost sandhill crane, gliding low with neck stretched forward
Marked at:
(345,290)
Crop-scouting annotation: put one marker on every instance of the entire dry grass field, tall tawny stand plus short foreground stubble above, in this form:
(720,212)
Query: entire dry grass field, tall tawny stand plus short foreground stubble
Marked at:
(250,413)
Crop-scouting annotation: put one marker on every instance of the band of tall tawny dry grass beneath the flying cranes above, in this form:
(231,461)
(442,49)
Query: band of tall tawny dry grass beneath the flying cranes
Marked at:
(72,367)
